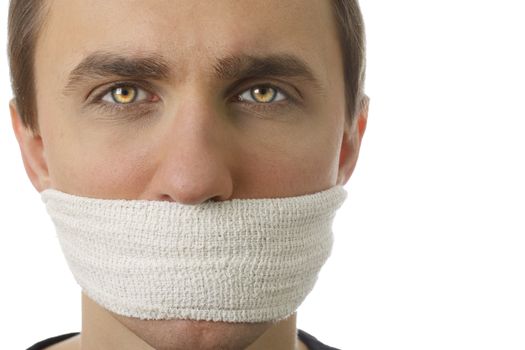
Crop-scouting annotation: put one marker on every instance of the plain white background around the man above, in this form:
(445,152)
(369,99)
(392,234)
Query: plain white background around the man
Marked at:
(430,247)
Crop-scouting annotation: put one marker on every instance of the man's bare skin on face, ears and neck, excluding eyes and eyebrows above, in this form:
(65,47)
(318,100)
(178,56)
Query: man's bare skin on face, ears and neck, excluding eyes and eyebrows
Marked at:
(196,142)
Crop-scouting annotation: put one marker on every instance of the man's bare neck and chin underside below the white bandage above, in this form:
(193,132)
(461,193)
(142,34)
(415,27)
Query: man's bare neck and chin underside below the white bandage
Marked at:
(104,330)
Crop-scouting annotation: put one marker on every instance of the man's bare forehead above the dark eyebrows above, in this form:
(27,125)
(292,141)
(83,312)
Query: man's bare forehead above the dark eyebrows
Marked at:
(190,33)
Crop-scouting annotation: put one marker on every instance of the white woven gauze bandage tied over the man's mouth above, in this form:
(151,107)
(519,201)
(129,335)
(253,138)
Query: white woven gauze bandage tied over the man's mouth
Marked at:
(241,260)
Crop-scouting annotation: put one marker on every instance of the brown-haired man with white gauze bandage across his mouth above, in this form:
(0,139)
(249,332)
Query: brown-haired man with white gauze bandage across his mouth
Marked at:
(156,108)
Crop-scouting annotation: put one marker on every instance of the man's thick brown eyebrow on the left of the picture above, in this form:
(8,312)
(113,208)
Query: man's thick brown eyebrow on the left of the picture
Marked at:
(102,64)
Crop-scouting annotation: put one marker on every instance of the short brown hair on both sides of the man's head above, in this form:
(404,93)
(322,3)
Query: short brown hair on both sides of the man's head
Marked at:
(26,20)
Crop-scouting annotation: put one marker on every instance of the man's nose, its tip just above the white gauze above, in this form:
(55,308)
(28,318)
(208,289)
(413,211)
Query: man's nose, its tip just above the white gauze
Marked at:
(195,157)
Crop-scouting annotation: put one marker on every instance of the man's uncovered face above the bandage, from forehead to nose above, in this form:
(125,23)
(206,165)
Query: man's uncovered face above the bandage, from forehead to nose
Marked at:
(217,100)
